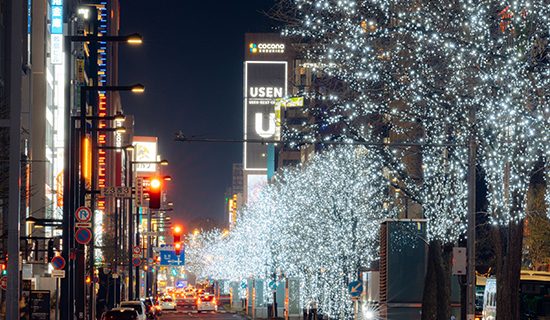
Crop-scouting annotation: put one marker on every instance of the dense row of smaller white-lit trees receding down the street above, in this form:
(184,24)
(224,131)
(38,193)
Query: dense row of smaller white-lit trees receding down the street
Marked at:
(318,223)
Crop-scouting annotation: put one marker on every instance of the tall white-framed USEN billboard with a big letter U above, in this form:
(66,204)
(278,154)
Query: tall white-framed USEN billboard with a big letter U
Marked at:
(264,83)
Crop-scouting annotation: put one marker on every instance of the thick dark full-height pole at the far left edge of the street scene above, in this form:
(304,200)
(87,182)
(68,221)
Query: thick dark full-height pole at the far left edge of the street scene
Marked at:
(14,66)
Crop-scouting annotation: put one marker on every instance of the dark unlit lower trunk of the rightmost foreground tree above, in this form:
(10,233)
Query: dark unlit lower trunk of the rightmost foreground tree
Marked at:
(508,249)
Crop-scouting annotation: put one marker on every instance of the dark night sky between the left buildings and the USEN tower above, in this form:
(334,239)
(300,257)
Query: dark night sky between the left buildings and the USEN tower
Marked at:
(191,64)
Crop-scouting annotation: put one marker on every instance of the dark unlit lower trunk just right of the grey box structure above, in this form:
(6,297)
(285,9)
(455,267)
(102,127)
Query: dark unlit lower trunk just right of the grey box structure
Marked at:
(437,292)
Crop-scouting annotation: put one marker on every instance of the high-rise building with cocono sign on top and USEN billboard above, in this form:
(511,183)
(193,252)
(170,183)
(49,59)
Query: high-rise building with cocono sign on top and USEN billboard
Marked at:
(267,66)
